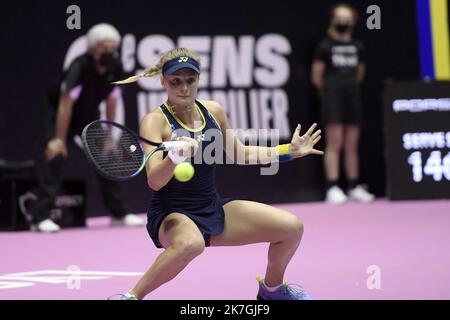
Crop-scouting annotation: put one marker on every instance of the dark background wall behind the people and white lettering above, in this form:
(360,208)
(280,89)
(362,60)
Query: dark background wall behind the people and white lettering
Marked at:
(34,40)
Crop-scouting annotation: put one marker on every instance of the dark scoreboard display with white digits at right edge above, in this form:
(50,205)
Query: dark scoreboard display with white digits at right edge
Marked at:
(417,139)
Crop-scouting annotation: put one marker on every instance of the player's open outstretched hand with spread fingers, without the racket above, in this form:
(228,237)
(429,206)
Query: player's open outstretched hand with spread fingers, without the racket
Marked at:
(304,145)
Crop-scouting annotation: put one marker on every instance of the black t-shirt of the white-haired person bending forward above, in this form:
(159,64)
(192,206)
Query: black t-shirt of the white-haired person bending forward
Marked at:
(92,88)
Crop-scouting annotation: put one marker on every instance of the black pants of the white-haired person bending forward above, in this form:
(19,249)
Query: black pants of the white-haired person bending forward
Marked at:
(50,173)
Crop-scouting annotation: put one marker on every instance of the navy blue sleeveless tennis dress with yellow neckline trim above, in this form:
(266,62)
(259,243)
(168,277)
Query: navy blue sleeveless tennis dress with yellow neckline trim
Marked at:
(197,198)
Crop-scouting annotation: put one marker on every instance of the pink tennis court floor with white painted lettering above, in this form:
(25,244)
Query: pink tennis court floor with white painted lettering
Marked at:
(382,250)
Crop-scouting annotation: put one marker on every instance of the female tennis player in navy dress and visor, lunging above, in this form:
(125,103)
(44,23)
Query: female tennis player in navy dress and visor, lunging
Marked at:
(184,218)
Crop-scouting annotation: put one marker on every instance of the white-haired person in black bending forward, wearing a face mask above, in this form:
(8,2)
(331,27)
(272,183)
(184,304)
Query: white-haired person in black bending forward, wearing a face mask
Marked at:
(69,106)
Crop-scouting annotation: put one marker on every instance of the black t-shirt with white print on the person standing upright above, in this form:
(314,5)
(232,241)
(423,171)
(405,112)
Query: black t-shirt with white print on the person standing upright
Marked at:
(341,58)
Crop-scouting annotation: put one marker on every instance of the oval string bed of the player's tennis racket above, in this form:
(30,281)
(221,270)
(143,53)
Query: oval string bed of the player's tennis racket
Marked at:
(114,151)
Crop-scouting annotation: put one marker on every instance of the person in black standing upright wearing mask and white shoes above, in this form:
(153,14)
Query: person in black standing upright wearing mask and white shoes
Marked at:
(337,71)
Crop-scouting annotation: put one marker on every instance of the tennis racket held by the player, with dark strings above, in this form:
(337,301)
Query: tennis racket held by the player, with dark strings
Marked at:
(116,152)
